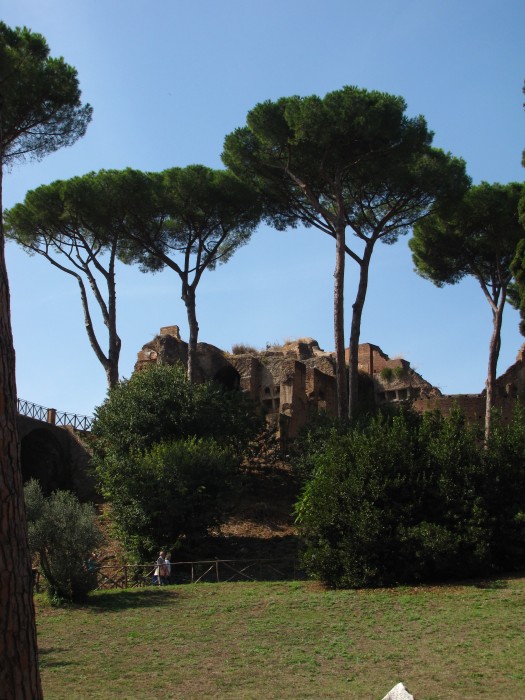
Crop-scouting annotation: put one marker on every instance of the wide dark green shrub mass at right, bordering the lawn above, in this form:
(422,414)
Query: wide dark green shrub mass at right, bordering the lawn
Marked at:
(411,498)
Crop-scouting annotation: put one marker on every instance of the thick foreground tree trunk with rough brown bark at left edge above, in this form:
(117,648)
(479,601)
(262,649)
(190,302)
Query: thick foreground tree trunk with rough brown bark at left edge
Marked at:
(19,675)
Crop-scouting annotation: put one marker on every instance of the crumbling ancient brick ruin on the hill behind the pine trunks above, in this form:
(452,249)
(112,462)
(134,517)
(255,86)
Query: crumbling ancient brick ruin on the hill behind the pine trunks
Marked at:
(296,378)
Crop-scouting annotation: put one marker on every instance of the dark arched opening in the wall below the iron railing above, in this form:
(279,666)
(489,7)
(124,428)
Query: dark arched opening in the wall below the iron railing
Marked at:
(42,458)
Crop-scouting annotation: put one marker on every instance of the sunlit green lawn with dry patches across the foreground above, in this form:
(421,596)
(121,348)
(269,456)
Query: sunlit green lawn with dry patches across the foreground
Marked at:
(287,640)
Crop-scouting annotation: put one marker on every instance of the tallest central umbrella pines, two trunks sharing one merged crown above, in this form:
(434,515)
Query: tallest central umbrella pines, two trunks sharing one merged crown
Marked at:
(352,159)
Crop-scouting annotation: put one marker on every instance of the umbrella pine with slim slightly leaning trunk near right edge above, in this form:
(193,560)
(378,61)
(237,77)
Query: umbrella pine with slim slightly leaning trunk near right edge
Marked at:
(476,238)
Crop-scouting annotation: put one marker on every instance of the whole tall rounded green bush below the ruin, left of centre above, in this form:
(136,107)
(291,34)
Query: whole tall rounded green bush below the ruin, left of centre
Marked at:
(166,451)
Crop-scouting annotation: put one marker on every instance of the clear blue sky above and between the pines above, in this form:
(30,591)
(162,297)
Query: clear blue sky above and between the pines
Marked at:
(168,80)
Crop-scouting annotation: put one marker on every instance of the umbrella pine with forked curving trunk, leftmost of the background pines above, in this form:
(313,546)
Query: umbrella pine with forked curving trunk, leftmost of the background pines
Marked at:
(76,225)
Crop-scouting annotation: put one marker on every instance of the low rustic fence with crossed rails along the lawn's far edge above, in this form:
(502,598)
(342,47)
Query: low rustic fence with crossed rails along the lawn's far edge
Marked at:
(211,571)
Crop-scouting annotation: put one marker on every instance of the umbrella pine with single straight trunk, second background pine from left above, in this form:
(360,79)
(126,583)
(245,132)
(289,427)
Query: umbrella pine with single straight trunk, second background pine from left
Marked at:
(189,220)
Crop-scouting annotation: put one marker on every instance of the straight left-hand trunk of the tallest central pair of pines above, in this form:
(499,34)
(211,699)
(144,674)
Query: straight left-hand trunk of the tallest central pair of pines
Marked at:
(339,325)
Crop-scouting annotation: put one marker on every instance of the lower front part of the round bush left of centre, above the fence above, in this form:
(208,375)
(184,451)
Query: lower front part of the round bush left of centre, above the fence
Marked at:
(174,489)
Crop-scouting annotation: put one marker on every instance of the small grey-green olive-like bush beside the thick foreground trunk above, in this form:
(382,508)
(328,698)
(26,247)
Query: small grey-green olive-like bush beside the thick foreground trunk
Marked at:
(62,533)
